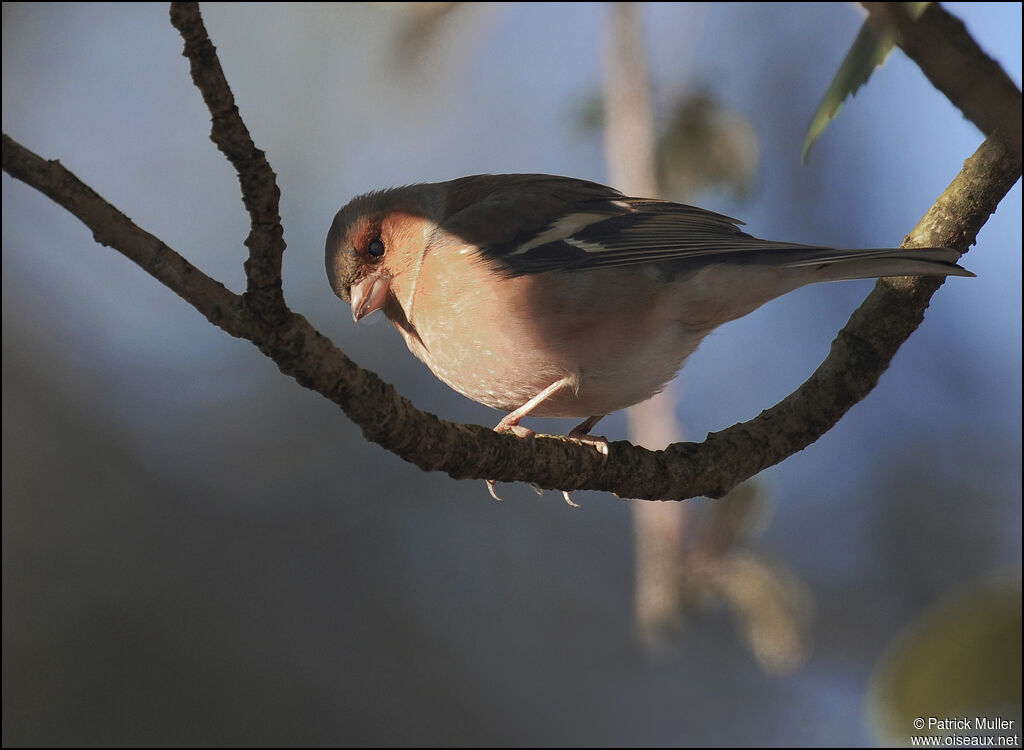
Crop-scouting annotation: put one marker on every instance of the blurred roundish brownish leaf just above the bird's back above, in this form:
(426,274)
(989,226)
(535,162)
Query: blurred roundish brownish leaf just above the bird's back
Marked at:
(706,147)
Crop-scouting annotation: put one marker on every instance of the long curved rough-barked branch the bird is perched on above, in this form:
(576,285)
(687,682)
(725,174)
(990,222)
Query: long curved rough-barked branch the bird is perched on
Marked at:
(861,354)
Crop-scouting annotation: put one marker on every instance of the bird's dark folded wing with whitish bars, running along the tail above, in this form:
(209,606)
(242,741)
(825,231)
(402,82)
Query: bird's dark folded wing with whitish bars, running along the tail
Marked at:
(532,224)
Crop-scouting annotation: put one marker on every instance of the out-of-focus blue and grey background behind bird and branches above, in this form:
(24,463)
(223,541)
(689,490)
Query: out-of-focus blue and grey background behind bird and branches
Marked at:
(197,551)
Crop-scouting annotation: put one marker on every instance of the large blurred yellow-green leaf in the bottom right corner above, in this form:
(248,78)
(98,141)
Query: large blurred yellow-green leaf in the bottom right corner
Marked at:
(961,658)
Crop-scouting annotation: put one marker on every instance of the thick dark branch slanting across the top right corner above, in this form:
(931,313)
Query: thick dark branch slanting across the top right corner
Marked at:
(947,54)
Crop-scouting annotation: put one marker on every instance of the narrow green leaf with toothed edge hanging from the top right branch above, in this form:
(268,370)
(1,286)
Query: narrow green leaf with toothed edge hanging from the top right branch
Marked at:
(870,51)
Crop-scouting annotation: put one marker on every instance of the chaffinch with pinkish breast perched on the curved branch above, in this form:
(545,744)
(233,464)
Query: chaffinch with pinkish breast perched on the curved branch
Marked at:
(561,298)
